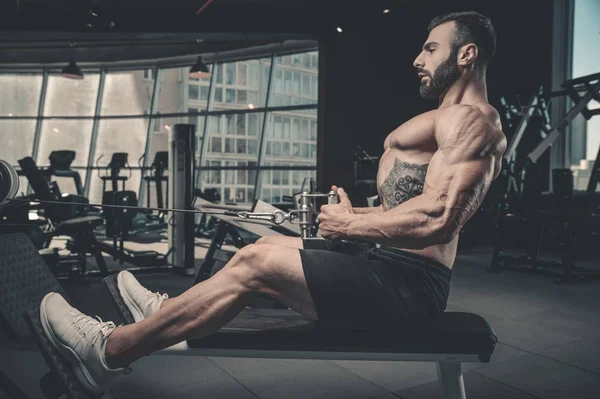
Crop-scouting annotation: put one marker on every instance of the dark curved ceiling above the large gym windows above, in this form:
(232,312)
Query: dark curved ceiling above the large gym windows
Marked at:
(48,32)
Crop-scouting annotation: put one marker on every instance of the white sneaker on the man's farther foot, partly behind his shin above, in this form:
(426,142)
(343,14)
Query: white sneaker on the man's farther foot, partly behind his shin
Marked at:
(140,301)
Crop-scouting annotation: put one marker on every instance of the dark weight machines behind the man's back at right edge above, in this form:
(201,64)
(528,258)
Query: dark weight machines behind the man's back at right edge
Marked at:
(563,210)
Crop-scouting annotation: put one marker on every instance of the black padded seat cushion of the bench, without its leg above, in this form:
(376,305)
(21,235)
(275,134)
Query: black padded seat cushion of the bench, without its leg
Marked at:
(446,333)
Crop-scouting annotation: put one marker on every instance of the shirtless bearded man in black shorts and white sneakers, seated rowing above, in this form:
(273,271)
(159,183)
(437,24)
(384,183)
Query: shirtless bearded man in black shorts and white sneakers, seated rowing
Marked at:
(433,175)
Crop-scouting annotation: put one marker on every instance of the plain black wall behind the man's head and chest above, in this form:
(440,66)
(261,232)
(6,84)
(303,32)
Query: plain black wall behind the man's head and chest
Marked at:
(369,86)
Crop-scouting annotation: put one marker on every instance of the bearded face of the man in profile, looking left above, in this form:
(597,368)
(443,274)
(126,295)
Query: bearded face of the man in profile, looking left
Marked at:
(437,65)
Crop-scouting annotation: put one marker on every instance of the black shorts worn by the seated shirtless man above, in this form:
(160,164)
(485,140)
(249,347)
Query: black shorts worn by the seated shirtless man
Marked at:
(379,286)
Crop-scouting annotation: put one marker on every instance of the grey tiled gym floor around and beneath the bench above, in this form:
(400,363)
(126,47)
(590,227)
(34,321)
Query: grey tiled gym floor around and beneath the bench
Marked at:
(548,348)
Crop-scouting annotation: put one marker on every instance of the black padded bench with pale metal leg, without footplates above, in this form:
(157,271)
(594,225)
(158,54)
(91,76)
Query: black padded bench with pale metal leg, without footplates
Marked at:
(447,339)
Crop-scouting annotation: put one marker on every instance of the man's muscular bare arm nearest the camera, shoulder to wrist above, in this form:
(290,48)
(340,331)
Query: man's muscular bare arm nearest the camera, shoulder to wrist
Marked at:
(458,177)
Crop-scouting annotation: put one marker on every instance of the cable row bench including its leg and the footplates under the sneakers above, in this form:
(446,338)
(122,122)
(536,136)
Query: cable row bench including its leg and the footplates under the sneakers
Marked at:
(449,339)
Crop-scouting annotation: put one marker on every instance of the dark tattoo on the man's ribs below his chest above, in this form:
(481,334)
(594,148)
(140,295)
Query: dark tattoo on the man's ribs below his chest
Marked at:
(404,182)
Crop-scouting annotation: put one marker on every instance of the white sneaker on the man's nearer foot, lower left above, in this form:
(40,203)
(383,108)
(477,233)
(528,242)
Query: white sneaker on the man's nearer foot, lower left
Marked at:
(81,340)
